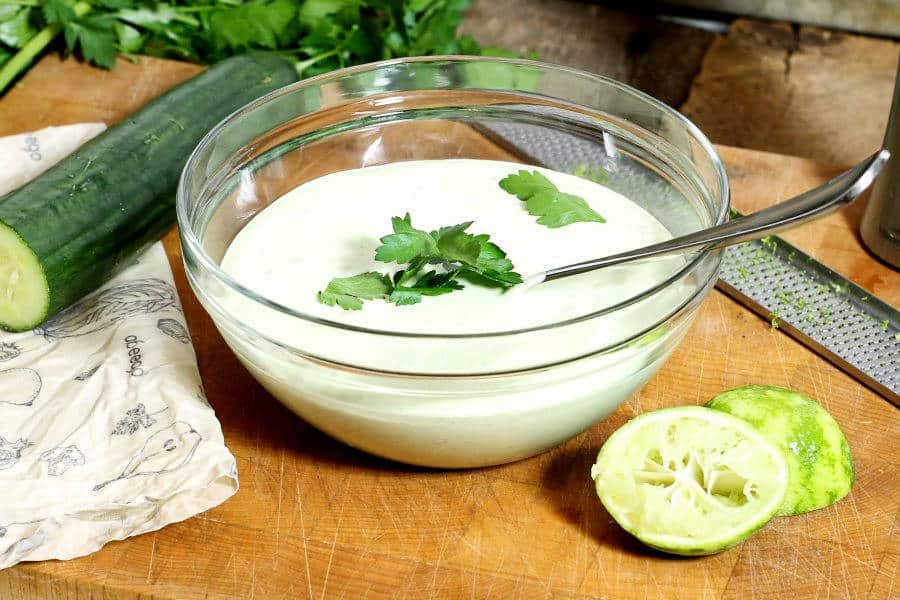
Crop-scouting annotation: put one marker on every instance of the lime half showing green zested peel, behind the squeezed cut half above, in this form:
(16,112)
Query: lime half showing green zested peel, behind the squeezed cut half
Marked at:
(817,453)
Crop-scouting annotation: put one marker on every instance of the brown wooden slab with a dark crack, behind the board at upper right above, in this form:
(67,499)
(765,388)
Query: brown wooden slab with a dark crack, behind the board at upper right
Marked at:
(802,91)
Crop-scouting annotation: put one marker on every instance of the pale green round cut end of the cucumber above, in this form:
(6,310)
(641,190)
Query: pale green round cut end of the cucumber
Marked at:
(24,293)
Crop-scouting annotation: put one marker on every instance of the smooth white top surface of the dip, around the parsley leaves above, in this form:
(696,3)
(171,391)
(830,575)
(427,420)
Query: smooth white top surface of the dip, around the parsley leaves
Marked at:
(330,227)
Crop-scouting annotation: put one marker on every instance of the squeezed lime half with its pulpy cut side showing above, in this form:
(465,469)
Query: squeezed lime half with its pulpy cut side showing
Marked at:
(689,480)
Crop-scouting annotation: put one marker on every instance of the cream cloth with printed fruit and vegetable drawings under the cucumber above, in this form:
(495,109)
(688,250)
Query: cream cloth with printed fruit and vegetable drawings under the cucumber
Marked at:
(105,432)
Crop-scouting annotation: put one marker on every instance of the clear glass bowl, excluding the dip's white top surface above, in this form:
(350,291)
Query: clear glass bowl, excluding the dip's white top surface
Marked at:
(436,399)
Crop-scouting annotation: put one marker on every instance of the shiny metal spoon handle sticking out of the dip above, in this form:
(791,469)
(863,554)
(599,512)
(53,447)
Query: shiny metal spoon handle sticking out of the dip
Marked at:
(843,189)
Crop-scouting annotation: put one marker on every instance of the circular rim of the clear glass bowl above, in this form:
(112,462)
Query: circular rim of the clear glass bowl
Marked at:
(193,247)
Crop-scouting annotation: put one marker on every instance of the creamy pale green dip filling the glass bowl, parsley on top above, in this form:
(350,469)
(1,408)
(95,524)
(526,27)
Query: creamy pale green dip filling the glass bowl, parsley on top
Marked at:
(474,388)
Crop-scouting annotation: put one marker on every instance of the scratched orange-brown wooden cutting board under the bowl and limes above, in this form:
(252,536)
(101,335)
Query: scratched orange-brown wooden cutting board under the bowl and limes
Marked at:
(315,518)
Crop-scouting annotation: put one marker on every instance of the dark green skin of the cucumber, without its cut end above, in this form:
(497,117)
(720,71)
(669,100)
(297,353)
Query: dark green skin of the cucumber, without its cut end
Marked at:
(88,215)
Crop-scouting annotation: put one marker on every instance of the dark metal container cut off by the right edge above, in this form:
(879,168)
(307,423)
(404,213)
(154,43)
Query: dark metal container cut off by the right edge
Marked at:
(880,227)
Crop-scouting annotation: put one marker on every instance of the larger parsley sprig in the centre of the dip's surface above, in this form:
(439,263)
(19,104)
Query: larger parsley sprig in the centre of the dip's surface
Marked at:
(434,263)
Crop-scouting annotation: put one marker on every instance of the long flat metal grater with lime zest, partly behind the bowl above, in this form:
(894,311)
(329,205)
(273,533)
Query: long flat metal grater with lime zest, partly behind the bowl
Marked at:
(831,315)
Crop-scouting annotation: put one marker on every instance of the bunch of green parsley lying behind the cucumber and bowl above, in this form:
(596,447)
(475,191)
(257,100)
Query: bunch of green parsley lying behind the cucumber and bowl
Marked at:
(321,34)
